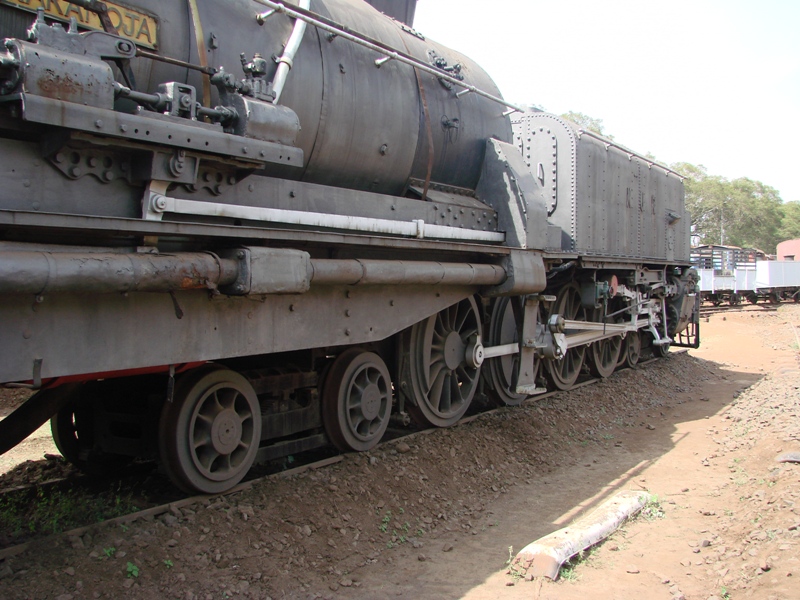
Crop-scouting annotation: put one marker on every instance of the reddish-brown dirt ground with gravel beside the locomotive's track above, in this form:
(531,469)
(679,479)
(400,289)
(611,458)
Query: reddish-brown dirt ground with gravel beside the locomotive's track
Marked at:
(437,515)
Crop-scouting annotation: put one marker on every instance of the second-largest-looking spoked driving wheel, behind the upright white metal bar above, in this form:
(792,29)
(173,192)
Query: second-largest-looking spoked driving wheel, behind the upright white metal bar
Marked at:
(502,369)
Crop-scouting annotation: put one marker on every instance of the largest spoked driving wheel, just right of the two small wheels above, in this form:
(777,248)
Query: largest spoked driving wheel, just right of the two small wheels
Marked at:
(443,383)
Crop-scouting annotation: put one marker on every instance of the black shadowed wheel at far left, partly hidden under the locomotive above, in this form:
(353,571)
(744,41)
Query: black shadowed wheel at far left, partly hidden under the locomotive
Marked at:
(73,432)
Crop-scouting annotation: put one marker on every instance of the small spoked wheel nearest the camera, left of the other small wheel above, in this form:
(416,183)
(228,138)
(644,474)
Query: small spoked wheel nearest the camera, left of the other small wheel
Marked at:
(210,432)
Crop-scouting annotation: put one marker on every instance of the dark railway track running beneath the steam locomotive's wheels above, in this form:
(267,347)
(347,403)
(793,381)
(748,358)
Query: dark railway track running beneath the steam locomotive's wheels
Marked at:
(161,497)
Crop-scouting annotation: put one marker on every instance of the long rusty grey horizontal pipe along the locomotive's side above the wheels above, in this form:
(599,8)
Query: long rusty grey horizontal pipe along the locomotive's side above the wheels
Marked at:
(34,272)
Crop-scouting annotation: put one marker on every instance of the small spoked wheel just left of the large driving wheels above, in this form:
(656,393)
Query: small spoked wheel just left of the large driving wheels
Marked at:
(357,400)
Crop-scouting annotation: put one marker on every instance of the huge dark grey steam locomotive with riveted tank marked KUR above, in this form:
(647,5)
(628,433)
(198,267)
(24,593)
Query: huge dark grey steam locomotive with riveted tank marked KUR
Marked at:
(234,231)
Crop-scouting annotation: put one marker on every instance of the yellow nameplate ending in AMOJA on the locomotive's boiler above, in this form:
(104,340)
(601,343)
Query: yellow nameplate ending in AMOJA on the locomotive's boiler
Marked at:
(131,24)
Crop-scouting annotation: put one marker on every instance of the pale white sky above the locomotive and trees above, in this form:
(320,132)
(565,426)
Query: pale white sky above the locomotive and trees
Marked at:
(711,82)
